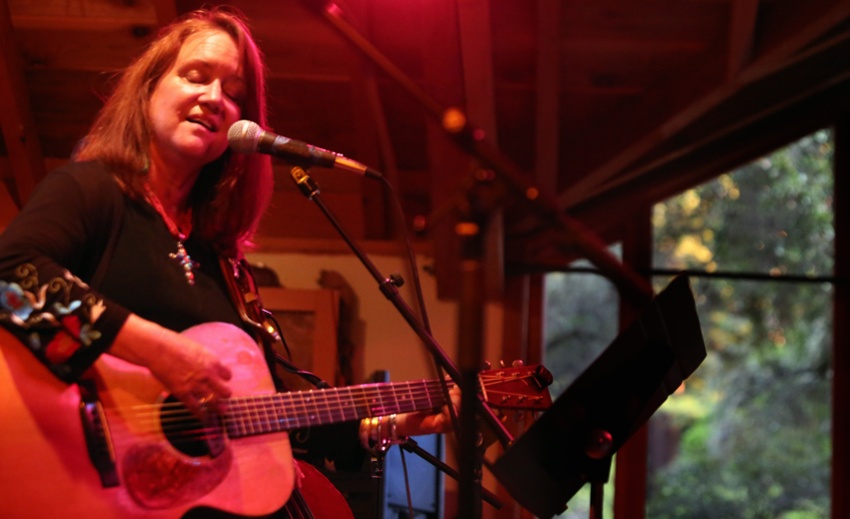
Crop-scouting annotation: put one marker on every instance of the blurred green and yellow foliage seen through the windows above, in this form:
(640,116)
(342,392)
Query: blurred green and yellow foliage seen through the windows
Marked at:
(749,437)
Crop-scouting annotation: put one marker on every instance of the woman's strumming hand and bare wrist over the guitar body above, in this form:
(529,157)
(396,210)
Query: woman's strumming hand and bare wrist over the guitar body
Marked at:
(187,369)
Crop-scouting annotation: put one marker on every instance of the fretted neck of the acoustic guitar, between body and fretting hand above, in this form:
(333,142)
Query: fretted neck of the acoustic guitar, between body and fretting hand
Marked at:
(262,414)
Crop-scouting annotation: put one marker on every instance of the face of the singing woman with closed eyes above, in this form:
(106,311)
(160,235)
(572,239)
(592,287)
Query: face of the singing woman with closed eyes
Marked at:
(195,102)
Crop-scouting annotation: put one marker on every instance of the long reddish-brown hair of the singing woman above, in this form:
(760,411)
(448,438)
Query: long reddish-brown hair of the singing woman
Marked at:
(232,192)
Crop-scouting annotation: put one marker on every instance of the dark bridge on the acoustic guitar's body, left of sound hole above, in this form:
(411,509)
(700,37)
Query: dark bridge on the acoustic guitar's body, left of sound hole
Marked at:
(96,432)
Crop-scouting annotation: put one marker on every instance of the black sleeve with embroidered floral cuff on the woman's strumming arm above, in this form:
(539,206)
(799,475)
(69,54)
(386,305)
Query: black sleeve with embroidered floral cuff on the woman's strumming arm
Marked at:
(53,312)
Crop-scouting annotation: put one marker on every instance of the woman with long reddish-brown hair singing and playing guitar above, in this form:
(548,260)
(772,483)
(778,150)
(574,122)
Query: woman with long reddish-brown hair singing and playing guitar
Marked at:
(120,250)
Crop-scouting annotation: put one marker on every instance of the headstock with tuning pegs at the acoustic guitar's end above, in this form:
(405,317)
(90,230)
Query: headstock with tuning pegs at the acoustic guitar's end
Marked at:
(518,387)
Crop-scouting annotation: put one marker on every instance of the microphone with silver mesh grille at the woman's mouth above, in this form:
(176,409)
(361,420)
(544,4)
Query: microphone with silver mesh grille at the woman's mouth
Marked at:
(247,137)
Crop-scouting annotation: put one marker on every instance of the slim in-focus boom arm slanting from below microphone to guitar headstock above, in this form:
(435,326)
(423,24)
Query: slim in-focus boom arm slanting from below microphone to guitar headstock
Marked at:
(388,287)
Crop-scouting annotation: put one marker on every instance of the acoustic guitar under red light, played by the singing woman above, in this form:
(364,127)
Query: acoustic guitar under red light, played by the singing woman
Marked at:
(122,447)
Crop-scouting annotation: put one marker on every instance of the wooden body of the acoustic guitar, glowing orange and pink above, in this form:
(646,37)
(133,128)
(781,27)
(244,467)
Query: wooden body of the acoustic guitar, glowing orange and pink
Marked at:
(45,469)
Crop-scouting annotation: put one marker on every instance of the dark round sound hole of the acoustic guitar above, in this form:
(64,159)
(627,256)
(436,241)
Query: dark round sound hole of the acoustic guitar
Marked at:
(188,433)
